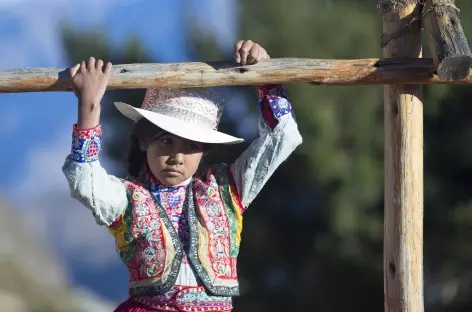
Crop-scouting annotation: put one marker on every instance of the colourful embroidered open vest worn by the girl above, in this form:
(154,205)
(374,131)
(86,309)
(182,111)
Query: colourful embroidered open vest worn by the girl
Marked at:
(150,247)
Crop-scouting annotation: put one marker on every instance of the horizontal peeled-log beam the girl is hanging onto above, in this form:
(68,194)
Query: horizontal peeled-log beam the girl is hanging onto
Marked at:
(282,70)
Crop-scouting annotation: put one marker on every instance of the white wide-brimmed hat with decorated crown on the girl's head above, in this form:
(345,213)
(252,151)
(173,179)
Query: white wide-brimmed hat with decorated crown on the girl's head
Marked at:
(190,113)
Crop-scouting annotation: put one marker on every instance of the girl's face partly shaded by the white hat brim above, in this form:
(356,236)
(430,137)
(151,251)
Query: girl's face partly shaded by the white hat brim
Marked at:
(173,159)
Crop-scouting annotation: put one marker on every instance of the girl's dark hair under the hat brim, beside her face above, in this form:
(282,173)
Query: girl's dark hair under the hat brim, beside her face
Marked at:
(142,131)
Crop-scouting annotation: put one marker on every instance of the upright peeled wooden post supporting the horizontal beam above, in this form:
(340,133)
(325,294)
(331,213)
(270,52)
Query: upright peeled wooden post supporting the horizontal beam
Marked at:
(403,132)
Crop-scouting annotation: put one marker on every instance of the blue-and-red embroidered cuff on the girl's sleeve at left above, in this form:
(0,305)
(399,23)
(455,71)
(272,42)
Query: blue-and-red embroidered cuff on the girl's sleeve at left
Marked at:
(86,144)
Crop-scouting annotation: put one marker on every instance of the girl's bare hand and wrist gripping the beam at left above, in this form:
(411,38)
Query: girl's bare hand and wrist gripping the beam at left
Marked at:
(89,81)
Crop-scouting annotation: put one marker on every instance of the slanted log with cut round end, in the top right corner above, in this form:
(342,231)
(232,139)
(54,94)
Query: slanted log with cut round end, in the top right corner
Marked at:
(446,39)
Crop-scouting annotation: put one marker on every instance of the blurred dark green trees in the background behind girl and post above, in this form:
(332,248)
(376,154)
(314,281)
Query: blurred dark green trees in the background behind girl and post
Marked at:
(313,238)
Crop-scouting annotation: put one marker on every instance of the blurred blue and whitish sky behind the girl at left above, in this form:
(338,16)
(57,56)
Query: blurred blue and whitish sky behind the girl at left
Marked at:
(35,128)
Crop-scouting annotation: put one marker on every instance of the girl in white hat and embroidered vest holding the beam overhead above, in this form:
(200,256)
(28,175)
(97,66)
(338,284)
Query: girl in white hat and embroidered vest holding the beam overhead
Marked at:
(177,231)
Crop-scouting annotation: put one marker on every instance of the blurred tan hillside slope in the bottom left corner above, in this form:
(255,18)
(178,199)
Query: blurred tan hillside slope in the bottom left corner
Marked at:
(31,280)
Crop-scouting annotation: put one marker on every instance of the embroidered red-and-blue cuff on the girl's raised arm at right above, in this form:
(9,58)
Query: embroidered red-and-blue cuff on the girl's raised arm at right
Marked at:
(274,103)
